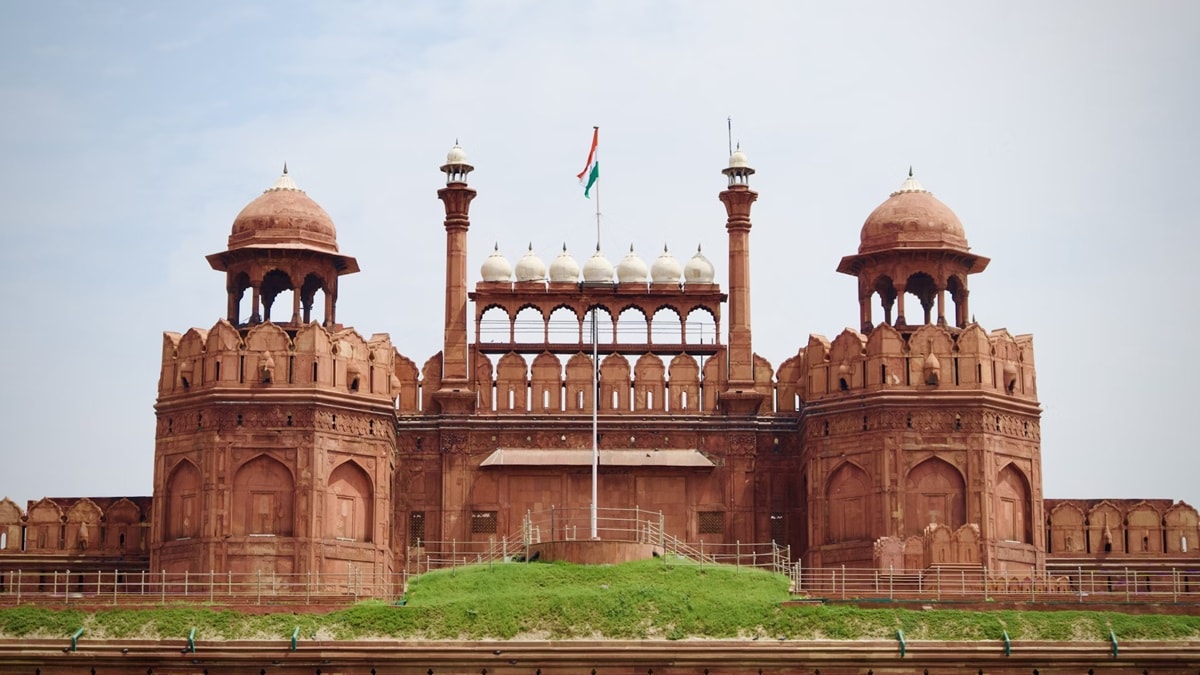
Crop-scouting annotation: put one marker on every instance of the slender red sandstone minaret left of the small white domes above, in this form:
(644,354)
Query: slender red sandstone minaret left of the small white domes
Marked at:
(457,396)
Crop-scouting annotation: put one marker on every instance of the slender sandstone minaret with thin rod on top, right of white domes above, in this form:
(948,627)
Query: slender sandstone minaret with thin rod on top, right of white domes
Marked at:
(740,397)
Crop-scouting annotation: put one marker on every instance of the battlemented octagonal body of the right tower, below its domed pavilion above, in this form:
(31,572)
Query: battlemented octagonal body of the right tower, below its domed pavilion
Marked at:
(903,433)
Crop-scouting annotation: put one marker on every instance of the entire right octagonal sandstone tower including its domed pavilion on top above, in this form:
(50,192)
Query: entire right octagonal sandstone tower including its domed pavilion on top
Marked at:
(922,443)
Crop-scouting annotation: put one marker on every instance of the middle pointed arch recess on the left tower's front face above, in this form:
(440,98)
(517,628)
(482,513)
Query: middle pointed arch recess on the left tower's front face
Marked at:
(263,493)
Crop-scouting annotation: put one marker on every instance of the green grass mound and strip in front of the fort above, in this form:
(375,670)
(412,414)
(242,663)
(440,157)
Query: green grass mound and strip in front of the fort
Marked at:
(647,600)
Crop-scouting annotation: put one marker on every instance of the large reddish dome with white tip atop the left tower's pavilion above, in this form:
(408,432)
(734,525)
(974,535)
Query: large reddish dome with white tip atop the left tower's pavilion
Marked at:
(284,218)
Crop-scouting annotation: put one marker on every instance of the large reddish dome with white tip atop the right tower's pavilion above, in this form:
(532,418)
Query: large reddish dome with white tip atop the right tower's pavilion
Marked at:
(913,219)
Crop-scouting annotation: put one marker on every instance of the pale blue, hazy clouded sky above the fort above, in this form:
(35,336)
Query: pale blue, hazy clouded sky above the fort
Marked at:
(1064,135)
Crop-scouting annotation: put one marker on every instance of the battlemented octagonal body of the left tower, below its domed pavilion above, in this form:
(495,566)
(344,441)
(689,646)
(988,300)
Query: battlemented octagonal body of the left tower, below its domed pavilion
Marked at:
(274,451)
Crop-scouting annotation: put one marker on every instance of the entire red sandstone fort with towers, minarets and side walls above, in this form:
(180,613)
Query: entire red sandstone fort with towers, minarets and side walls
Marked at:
(290,444)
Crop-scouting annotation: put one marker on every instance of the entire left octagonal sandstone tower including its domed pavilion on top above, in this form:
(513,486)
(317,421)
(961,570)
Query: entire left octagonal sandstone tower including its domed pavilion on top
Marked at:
(275,434)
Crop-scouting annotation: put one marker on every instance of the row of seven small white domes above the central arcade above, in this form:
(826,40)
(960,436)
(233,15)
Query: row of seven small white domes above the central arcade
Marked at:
(632,270)
